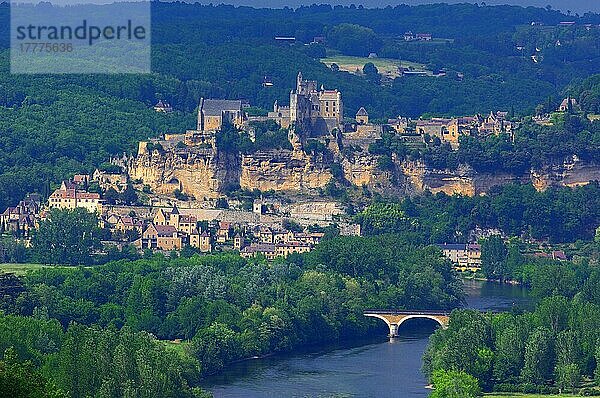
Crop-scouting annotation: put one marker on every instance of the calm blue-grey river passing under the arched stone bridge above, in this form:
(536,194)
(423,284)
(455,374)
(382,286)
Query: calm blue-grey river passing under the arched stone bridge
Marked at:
(374,368)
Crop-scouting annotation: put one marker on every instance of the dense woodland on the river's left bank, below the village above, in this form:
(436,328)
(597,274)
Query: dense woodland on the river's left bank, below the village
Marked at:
(113,328)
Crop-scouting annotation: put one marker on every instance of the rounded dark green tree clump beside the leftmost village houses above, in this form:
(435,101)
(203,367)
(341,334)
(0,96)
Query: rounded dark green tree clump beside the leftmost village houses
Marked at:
(67,237)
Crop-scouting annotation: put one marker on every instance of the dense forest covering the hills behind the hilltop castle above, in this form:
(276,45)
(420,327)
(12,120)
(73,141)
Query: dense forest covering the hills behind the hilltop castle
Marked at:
(53,126)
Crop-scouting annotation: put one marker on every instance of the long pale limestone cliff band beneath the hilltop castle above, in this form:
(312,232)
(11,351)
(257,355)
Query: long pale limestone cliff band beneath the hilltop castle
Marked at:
(205,172)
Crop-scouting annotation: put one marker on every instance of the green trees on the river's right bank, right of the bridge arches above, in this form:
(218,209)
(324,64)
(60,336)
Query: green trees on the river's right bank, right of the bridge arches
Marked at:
(551,349)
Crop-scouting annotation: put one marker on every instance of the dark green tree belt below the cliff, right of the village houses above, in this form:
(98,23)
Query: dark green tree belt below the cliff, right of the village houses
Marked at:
(556,215)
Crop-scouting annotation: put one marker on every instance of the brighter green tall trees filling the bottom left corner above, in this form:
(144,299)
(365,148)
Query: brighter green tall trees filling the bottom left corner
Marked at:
(43,360)
